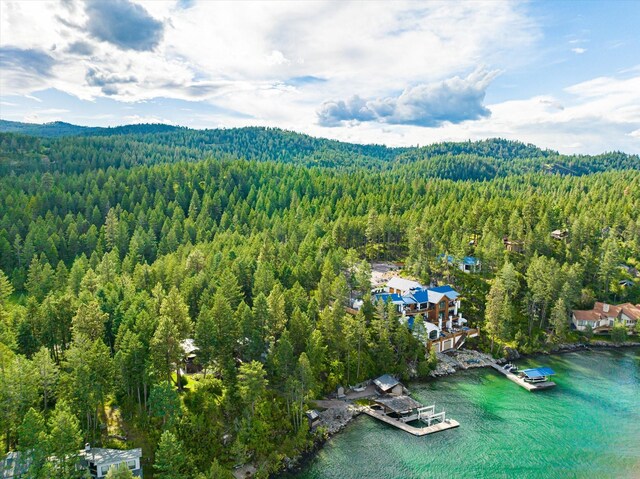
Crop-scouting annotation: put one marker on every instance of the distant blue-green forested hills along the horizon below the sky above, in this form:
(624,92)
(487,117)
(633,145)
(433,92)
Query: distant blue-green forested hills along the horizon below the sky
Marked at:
(58,149)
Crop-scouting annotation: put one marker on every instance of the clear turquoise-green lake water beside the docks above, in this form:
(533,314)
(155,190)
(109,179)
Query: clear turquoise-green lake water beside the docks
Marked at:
(588,426)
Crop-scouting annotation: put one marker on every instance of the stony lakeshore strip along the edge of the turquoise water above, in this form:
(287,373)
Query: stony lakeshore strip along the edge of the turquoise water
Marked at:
(293,465)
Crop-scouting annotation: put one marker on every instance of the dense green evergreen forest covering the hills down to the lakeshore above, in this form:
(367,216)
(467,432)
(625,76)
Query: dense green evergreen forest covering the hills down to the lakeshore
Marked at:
(118,244)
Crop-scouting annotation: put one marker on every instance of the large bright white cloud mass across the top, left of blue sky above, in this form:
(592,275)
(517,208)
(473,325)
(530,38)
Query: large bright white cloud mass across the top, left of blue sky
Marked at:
(247,45)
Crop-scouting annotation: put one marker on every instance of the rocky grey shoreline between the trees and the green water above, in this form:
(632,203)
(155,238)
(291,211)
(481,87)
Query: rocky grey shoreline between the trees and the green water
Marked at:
(340,413)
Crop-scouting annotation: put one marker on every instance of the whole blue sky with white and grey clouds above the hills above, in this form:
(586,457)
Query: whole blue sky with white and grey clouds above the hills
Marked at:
(561,75)
